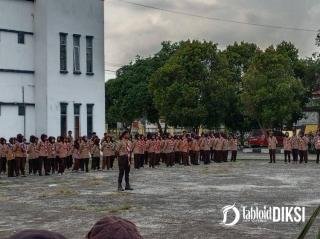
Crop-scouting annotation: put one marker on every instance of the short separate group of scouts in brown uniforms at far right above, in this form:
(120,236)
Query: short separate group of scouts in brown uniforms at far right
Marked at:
(297,146)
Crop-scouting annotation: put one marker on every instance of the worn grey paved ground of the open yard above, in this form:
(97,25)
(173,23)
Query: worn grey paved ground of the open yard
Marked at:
(179,202)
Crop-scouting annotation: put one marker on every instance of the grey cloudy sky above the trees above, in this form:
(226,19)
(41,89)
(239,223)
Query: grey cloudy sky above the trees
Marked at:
(133,30)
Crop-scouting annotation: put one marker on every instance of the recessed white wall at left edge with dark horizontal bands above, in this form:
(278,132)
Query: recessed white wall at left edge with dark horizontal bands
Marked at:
(16,15)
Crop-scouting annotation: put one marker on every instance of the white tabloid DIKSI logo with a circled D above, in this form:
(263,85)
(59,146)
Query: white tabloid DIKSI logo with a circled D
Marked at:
(262,214)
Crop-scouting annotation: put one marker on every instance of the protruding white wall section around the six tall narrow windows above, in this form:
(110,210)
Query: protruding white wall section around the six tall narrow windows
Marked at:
(85,17)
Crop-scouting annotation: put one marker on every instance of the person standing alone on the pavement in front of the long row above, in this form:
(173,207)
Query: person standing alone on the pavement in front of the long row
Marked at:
(123,151)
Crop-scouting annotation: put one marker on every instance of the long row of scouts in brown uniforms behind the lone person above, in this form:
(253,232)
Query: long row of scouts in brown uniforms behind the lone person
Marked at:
(48,155)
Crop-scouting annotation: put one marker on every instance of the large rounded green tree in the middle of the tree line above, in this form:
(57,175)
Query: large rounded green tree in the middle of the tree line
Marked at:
(190,89)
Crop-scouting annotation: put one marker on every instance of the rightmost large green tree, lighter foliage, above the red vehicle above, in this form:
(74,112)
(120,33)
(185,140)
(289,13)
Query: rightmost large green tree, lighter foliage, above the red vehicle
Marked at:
(272,94)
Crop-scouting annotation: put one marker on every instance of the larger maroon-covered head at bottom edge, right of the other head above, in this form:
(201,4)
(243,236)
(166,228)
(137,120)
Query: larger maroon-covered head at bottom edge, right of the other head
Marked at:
(114,228)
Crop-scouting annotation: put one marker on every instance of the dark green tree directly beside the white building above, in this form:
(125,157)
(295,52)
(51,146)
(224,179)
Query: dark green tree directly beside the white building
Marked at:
(128,97)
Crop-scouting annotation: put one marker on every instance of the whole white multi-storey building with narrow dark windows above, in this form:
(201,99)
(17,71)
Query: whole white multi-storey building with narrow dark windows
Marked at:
(51,67)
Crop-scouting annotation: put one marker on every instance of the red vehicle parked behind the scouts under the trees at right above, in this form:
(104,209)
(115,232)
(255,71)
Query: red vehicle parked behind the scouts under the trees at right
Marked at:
(258,138)
